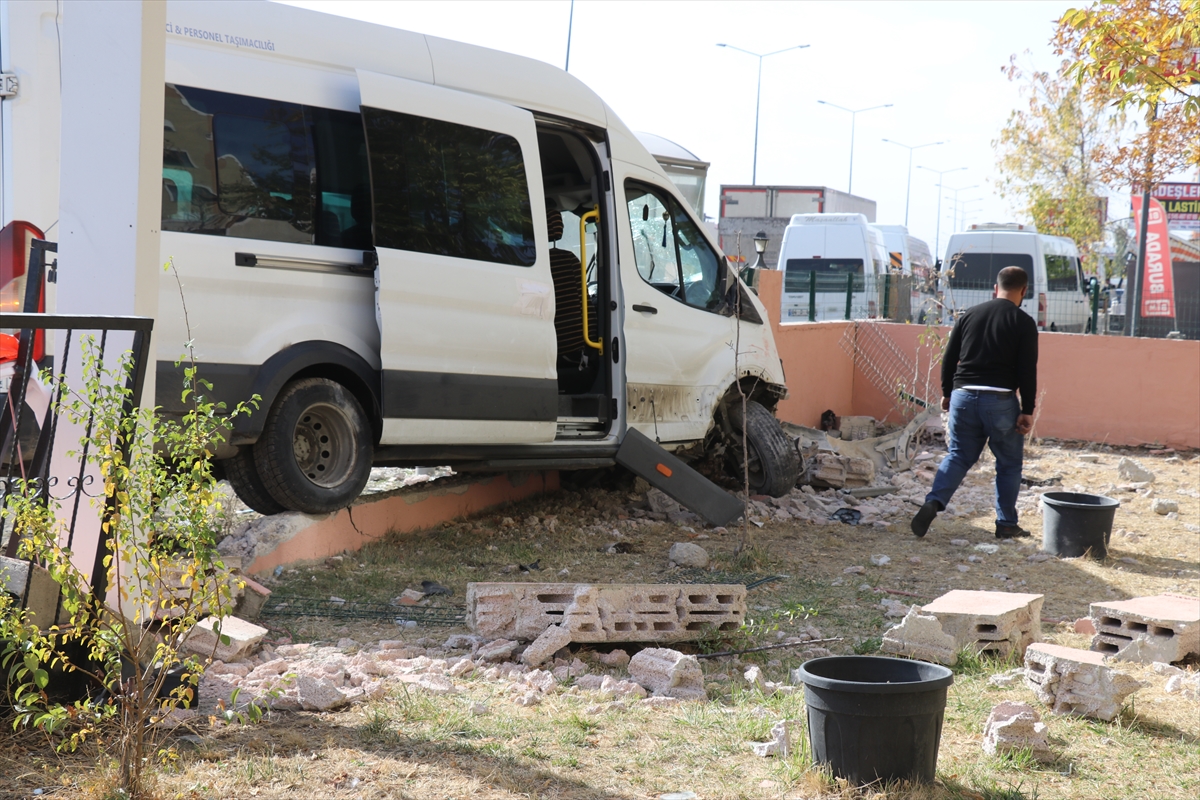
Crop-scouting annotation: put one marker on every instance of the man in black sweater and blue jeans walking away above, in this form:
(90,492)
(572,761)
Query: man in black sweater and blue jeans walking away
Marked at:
(993,353)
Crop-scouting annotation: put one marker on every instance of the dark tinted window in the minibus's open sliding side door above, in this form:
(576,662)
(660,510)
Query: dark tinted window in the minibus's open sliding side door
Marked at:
(449,190)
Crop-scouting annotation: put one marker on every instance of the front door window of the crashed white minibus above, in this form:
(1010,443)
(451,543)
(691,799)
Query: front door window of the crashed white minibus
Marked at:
(670,252)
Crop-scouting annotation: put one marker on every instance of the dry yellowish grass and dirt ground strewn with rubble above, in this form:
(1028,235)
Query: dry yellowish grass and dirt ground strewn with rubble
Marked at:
(412,745)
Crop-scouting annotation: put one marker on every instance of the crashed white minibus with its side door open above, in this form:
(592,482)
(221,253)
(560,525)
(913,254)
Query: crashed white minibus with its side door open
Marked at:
(416,252)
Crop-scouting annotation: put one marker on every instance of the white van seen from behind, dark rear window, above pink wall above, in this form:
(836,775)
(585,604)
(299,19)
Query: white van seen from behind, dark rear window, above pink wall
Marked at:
(831,263)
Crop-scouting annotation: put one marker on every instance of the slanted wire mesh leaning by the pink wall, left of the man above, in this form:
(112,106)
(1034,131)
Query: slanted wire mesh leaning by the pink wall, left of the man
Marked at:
(910,387)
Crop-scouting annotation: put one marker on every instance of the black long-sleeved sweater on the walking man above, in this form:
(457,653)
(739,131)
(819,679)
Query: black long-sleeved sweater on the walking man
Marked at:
(994,345)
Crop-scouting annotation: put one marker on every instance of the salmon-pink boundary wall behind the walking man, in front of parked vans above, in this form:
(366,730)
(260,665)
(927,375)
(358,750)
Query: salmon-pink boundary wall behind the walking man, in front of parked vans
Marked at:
(1106,389)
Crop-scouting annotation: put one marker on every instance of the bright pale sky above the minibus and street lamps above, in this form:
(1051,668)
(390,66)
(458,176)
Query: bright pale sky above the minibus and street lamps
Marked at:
(658,65)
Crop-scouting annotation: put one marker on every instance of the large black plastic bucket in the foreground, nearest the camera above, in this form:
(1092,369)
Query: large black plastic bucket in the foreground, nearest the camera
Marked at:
(873,718)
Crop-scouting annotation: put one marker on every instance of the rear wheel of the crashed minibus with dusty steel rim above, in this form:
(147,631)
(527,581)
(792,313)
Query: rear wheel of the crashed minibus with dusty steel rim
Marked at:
(315,453)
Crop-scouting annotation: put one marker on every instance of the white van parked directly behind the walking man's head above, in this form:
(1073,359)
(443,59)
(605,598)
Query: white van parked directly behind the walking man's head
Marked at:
(1058,296)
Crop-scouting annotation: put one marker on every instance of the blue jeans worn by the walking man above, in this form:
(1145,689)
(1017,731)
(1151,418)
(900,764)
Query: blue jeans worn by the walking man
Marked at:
(977,419)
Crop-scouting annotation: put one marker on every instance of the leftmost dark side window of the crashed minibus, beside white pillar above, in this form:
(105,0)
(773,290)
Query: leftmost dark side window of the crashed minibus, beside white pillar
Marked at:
(236,166)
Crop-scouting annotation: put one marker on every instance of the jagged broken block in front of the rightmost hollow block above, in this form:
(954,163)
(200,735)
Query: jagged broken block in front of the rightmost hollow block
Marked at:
(1076,682)
